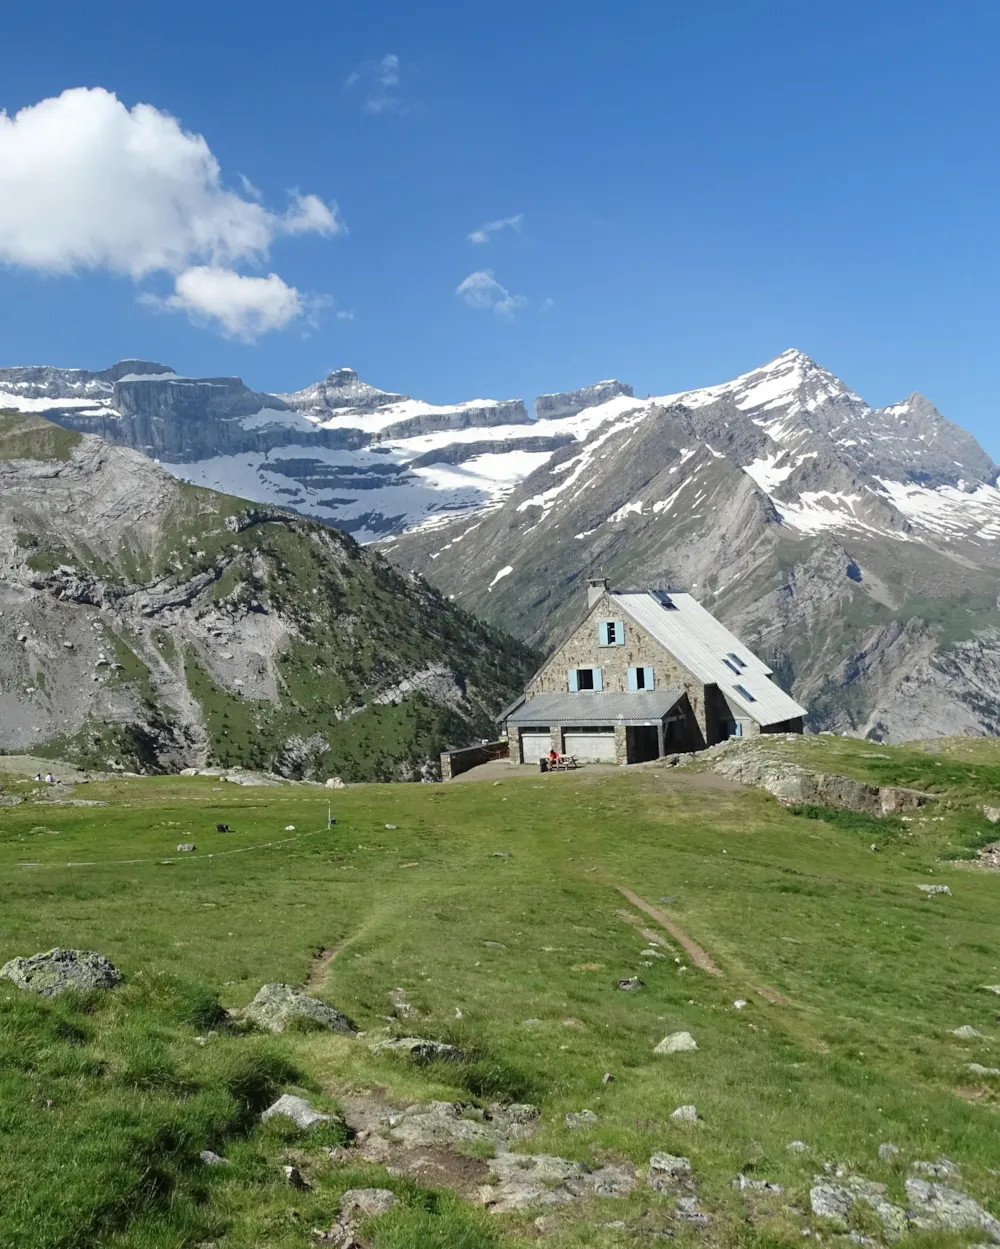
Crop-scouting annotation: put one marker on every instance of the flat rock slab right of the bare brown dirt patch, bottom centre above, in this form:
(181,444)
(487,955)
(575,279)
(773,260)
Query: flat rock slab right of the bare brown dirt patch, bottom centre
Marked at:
(524,1181)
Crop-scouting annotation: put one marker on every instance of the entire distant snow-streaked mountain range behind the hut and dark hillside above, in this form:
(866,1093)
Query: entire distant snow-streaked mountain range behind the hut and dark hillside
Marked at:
(858,545)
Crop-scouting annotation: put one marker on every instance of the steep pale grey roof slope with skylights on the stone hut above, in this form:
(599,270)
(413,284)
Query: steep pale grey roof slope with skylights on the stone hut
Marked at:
(702,644)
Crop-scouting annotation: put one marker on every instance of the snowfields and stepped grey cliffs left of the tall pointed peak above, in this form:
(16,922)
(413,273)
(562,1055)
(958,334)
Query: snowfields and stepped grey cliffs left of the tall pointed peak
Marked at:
(343,452)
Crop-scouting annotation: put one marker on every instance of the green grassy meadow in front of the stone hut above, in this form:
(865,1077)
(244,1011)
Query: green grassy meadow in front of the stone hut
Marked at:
(875,977)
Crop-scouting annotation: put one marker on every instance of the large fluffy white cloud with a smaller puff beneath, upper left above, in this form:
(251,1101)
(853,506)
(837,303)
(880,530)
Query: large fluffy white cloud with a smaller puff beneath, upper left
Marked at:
(87,184)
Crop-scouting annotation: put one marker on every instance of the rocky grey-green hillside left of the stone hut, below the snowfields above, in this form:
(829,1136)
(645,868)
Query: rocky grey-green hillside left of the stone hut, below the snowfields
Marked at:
(148,625)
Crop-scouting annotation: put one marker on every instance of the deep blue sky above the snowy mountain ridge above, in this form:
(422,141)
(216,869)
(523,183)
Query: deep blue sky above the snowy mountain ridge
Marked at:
(697,189)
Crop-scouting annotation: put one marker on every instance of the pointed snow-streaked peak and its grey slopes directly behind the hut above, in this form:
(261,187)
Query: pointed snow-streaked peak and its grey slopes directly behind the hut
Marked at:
(857,548)
